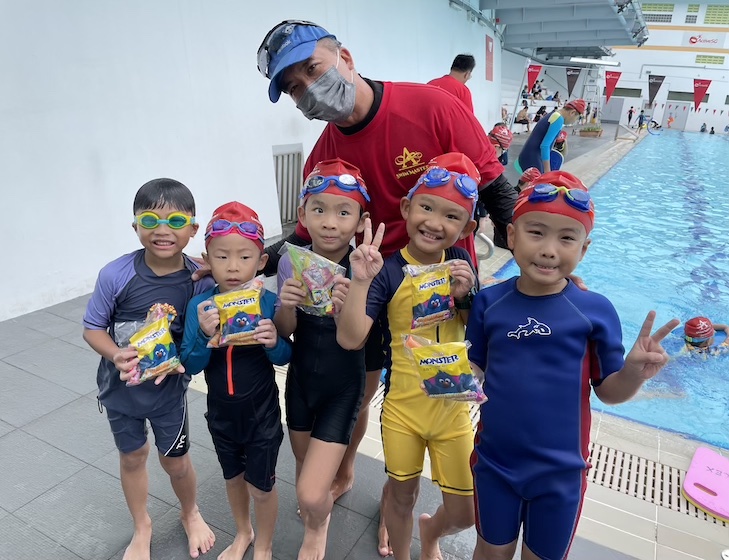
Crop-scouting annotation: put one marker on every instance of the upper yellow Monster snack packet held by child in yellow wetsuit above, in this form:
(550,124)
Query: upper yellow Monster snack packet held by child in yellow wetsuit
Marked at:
(431,291)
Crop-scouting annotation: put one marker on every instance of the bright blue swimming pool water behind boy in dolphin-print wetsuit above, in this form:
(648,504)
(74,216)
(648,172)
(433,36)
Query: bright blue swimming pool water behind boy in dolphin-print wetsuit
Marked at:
(661,242)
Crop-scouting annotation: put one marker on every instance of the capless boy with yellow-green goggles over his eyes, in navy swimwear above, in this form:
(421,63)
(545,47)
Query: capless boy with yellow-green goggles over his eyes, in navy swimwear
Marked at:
(164,220)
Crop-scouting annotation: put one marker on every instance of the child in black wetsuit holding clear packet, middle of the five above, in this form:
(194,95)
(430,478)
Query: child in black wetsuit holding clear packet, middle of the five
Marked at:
(325,383)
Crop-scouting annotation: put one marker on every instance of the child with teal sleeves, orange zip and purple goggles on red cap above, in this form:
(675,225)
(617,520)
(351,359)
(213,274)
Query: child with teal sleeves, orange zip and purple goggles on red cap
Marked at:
(243,415)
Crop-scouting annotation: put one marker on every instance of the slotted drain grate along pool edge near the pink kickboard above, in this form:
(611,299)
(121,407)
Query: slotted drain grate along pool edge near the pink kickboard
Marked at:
(629,474)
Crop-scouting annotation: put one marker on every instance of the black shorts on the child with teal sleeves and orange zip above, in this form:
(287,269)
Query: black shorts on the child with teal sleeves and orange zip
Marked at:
(247,435)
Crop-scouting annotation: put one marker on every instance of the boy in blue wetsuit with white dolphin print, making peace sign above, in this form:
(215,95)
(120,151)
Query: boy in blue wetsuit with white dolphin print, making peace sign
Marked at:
(542,343)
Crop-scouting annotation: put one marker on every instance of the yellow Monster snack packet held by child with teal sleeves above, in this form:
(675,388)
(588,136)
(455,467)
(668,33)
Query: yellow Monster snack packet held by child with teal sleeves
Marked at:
(240,313)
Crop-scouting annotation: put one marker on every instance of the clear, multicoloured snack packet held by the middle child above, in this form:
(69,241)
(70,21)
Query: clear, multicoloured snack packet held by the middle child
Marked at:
(317,274)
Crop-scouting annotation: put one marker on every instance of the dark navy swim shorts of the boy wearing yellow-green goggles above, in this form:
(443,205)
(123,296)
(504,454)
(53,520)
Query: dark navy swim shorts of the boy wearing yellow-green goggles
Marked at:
(170,427)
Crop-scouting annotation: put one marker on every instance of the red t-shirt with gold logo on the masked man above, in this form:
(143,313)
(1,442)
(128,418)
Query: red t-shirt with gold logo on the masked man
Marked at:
(414,124)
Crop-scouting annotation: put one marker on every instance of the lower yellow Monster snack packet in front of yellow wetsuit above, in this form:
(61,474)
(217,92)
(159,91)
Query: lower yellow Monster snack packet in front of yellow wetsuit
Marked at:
(444,369)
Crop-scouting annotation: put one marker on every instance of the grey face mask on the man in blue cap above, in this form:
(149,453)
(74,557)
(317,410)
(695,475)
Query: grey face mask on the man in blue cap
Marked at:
(330,98)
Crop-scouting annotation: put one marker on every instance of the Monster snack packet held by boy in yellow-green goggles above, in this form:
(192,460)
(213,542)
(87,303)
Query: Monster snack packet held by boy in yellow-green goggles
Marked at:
(153,342)
